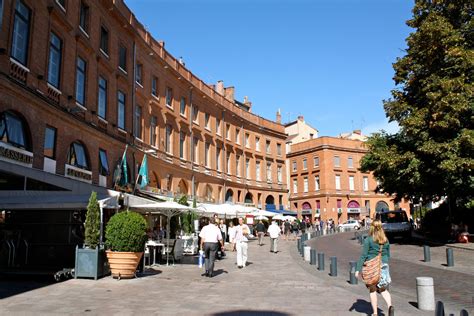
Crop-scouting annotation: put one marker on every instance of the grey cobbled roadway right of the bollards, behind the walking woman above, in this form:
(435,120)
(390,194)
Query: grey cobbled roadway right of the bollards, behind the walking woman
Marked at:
(454,286)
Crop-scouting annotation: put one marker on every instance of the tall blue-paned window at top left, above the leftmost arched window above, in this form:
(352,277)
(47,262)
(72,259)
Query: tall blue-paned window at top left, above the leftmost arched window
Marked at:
(21,33)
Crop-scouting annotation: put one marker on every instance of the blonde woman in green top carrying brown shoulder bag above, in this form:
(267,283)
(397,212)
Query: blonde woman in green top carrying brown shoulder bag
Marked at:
(377,242)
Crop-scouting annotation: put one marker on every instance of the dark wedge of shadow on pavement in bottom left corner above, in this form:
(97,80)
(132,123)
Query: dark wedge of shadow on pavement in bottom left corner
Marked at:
(14,285)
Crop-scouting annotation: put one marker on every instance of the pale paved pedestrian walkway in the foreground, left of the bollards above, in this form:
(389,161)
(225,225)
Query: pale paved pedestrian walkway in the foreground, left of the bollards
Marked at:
(272,284)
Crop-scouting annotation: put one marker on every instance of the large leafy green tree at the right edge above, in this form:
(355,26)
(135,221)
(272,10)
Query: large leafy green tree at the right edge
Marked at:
(432,154)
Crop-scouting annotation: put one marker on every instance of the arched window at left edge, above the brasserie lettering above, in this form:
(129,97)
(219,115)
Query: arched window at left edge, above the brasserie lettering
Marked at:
(14,131)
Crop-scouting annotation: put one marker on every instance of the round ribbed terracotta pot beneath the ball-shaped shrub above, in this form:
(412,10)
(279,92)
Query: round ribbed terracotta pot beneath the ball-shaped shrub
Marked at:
(123,264)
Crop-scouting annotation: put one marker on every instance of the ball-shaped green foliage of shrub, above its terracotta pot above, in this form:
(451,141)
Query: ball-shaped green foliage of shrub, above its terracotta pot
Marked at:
(126,231)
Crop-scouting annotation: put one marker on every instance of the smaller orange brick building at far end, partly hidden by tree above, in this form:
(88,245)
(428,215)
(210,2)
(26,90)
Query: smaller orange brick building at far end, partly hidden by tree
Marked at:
(325,180)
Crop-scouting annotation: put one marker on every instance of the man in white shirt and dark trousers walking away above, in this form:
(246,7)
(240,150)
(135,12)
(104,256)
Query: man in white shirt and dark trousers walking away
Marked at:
(210,238)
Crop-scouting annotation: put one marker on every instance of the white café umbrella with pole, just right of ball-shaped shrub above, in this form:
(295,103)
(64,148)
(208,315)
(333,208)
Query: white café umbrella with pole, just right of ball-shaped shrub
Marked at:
(169,209)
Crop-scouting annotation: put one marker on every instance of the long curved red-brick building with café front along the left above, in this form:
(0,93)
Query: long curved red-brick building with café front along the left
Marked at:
(79,81)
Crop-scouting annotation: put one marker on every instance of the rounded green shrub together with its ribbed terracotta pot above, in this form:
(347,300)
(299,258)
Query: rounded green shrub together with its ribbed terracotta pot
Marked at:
(125,239)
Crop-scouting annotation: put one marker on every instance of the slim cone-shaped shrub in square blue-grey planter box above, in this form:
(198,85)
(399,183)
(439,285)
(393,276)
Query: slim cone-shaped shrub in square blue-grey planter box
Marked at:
(91,261)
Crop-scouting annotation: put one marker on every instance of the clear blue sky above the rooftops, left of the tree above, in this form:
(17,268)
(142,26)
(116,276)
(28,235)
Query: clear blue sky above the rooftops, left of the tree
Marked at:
(328,60)
